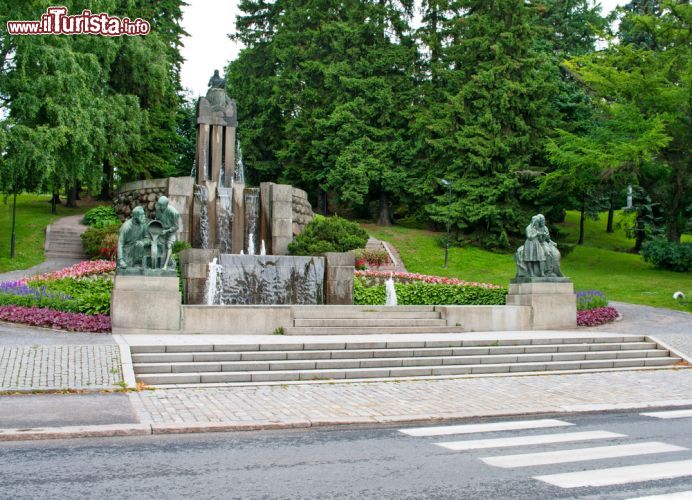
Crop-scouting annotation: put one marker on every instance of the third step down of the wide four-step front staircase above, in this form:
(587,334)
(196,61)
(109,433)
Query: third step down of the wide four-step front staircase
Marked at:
(329,364)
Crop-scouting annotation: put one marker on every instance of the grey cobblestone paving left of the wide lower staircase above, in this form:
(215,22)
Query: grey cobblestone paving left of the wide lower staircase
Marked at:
(59,367)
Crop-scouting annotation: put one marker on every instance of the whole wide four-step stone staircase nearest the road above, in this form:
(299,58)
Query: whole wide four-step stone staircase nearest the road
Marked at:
(300,359)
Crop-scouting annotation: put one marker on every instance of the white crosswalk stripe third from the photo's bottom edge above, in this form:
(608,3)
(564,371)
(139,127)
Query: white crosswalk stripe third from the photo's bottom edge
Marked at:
(580,455)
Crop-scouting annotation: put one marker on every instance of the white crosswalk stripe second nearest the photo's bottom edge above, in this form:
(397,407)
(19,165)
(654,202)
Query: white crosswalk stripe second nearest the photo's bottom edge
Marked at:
(620,475)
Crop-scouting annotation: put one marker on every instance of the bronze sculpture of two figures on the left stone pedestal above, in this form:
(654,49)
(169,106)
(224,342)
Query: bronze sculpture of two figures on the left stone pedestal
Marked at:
(148,244)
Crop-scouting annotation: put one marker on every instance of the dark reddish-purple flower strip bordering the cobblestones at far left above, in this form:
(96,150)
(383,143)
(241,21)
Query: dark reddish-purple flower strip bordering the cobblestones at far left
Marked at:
(50,318)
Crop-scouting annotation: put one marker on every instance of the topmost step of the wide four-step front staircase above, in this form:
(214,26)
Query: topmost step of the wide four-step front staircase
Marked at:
(288,344)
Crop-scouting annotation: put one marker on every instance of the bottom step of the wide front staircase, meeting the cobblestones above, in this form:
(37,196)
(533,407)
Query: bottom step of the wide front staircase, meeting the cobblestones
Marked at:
(162,379)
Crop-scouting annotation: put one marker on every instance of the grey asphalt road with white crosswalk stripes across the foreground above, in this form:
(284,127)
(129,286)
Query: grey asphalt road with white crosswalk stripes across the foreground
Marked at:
(363,463)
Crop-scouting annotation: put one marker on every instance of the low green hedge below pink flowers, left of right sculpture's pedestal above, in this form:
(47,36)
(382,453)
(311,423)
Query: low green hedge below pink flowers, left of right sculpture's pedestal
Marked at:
(428,294)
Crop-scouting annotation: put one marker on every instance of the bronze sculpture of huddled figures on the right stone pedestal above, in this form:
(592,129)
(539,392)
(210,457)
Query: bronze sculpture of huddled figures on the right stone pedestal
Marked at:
(539,256)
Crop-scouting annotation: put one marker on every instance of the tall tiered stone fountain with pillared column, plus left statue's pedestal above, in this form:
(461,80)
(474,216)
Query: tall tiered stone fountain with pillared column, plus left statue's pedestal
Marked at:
(239,237)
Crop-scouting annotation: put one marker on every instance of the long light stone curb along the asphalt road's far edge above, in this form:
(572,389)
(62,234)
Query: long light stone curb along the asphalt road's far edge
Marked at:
(113,430)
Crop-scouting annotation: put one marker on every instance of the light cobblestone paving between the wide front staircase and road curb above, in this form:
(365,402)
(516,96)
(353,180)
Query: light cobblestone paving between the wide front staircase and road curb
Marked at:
(380,401)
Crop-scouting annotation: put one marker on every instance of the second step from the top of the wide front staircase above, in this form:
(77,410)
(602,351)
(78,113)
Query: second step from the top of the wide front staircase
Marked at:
(341,352)
